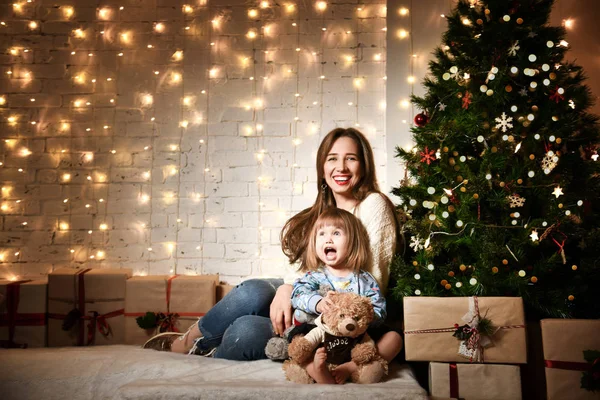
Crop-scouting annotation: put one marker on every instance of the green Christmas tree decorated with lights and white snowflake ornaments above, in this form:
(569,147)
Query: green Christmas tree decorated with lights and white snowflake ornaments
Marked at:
(502,191)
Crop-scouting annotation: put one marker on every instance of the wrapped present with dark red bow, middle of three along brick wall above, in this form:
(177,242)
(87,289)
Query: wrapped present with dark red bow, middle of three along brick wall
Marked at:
(86,306)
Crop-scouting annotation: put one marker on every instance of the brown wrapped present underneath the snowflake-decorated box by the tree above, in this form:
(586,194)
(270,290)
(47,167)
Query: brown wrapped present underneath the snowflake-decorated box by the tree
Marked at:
(475,381)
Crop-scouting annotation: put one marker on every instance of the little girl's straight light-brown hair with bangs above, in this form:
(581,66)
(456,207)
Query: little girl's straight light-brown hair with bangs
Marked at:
(359,250)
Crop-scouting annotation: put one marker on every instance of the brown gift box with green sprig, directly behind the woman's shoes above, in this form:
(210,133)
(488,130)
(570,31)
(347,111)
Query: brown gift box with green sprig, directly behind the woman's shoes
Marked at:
(166,303)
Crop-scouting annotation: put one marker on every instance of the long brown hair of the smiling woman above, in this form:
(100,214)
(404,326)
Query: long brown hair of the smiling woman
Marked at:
(295,234)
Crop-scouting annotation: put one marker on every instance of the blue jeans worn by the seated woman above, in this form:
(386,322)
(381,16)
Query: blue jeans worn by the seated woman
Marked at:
(239,325)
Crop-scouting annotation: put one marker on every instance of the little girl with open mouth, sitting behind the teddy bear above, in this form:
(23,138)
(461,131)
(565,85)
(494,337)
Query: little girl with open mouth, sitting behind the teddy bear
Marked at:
(338,250)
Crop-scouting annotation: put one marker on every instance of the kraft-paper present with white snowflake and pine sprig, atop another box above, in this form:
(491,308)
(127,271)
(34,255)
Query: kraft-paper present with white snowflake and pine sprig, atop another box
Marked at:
(465,329)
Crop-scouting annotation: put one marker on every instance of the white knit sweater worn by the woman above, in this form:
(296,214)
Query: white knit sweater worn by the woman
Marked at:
(378,219)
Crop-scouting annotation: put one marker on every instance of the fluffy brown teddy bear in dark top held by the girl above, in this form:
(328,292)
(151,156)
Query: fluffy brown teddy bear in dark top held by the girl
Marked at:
(342,330)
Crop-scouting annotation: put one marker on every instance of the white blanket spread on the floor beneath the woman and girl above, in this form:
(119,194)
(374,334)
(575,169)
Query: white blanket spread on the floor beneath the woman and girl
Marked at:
(128,372)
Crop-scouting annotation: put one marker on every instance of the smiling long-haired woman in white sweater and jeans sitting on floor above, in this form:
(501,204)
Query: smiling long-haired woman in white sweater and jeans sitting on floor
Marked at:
(239,326)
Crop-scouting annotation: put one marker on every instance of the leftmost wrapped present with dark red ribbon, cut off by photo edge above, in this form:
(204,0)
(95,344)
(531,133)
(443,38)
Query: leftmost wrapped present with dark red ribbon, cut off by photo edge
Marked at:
(23,313)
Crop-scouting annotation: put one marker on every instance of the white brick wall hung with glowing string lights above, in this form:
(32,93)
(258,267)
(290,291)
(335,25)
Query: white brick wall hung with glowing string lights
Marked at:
(109,145)
